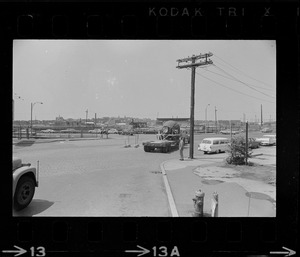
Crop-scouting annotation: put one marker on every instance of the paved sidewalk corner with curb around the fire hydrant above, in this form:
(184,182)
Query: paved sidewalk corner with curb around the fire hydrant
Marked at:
(184,178)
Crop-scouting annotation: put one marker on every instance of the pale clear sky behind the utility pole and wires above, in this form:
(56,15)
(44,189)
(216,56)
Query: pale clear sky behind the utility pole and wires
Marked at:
(139,78)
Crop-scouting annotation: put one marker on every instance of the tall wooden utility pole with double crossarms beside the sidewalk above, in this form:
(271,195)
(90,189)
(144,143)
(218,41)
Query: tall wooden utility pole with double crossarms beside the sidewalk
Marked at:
(191,63)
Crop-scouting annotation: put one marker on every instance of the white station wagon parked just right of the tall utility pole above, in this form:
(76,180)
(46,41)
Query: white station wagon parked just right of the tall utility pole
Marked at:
(214,144)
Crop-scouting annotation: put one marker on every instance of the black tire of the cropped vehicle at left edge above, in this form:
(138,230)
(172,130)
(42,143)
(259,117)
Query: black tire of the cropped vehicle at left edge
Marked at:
(24,192)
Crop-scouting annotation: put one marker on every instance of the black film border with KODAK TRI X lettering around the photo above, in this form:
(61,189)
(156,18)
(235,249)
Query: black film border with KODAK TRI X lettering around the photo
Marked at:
(107,236)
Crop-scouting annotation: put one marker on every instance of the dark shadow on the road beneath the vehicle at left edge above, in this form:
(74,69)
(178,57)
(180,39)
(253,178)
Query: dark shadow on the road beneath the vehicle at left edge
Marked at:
(35,207)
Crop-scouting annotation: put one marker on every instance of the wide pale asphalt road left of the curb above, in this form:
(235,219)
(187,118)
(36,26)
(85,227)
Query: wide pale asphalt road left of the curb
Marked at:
(98,177)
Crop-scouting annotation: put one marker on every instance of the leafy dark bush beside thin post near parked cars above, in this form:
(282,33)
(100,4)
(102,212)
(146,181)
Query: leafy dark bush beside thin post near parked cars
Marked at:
(237,151)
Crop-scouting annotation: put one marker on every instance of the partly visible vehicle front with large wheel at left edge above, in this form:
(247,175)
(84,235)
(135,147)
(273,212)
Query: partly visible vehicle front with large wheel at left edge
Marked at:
(25,179)
